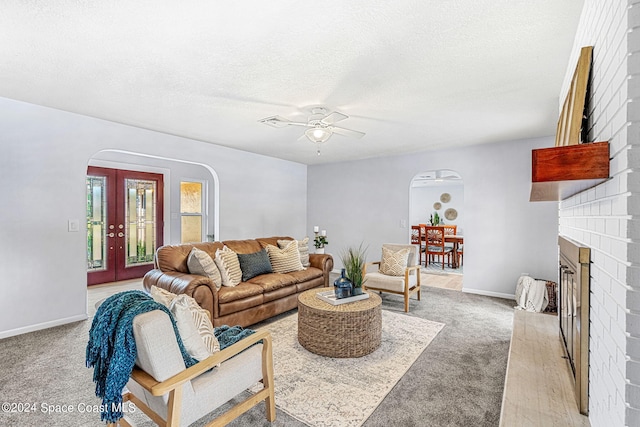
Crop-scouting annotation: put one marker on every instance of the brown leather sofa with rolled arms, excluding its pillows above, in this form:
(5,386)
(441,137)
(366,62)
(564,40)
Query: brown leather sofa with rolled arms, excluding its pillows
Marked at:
(249,302)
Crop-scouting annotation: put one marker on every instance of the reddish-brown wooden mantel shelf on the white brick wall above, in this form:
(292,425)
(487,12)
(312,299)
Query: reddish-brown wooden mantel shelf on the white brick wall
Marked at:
(560,172)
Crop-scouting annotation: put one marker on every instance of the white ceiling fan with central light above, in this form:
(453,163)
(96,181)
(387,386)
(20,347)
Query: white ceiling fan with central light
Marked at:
(320,125)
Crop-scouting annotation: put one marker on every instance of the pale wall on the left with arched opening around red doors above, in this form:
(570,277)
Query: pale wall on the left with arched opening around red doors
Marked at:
(43,165)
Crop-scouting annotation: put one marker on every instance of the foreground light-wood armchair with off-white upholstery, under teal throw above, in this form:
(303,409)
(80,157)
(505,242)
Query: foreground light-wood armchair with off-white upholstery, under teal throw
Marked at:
(172,395)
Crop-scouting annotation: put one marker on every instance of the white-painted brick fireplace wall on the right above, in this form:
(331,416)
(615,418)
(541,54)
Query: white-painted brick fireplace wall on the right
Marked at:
(605,218)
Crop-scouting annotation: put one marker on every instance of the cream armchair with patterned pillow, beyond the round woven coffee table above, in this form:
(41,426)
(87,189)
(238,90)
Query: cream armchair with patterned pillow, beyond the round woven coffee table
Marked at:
(397,273)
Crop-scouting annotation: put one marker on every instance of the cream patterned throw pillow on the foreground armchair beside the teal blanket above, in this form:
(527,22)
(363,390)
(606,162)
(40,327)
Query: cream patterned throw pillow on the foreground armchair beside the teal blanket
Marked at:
(194,326)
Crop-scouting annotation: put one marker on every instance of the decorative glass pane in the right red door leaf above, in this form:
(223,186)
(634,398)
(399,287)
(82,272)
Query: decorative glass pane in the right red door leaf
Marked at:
(140,223)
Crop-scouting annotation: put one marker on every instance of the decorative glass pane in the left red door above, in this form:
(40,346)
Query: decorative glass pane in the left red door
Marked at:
(96,229)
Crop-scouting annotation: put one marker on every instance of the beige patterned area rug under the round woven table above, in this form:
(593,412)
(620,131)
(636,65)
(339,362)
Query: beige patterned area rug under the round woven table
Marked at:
(323,391)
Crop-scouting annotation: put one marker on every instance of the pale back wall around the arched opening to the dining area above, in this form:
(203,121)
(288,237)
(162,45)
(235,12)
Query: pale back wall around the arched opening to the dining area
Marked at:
(504,233)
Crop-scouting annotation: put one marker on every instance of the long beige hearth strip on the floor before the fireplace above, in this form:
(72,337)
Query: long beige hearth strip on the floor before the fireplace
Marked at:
(538,389)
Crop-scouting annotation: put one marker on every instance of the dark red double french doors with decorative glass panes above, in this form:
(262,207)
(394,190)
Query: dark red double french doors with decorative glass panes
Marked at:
(124,223)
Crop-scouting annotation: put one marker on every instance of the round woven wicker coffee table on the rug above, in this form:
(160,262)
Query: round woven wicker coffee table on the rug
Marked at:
(348,330)
